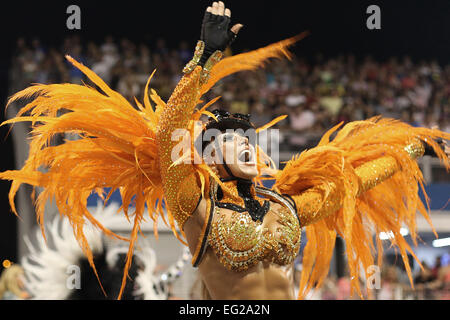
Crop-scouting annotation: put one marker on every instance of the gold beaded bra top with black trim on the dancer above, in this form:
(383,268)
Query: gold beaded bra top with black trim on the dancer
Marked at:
(240,241)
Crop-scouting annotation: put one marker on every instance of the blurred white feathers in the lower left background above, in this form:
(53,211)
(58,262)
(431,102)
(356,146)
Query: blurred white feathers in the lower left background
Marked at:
(46,266)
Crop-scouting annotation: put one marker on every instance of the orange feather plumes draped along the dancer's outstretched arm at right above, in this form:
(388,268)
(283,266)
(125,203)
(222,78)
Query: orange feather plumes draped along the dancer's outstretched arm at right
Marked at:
(384,208)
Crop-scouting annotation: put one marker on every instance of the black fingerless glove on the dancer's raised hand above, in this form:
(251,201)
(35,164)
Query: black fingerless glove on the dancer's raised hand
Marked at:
(216,35)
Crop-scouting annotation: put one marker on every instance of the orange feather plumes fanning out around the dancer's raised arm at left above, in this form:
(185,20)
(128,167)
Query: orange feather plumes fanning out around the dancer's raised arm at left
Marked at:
(117,148)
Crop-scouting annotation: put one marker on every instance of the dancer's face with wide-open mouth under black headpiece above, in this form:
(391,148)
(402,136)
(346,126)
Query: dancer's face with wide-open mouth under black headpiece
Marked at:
(238,154)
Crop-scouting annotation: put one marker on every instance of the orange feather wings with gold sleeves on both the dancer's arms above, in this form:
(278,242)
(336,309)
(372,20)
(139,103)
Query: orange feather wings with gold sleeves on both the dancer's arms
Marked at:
(129,149)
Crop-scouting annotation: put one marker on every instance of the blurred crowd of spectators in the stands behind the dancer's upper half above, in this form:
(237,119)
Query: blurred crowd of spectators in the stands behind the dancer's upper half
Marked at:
(316,93)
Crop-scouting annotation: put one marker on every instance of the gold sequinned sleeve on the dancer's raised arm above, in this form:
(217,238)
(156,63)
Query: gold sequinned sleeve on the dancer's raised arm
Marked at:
(180,186)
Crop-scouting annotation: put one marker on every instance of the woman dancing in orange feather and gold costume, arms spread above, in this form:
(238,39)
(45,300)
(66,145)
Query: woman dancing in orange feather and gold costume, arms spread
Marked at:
(243,237)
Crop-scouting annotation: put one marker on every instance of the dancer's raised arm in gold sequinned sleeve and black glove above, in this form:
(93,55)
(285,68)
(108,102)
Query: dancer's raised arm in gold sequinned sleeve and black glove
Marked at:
(215,36)
